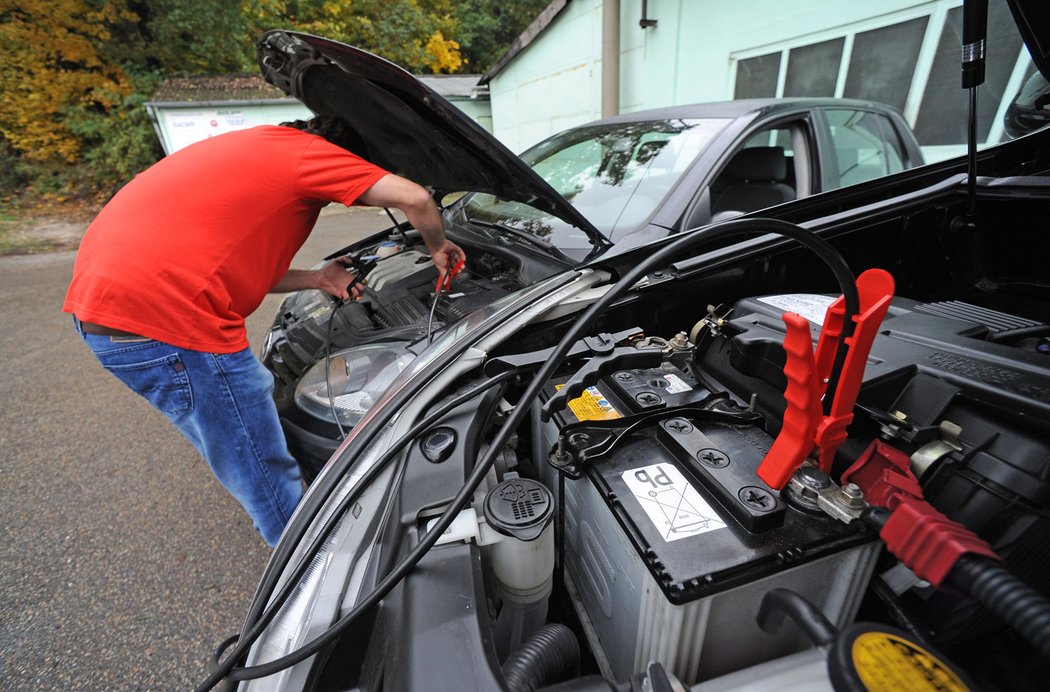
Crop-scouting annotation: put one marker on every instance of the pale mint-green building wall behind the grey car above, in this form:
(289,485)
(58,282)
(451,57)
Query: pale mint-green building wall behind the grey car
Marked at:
(694,53)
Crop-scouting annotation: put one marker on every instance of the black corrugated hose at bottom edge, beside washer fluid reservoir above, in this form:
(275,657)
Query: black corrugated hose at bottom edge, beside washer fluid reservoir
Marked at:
(549,657)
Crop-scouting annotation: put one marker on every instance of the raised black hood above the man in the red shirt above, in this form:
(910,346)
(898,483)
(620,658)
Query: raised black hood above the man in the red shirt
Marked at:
(407,128)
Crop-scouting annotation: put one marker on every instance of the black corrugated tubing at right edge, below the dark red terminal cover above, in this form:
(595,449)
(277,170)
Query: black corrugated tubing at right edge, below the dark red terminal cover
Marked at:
(1019,605)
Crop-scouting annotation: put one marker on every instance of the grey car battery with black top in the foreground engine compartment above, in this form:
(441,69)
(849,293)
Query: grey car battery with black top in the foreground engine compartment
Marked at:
(670,540)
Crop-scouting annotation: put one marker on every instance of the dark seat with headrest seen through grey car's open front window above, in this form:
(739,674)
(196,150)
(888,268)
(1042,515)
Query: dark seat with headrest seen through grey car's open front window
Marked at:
(755,181)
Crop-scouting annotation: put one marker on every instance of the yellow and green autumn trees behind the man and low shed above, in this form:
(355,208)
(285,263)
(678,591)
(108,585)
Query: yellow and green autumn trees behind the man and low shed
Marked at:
(75,74)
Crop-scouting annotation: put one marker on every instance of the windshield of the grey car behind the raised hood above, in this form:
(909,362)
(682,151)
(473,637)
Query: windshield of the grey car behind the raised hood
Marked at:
(615,175)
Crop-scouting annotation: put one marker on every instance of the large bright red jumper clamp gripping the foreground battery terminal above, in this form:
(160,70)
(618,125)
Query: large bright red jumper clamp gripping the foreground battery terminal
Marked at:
(806,427)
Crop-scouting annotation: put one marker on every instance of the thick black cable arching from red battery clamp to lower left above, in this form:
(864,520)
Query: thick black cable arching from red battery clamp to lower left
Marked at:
(576,332)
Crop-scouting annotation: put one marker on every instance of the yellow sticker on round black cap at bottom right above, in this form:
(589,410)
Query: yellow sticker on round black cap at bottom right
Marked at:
(888,662)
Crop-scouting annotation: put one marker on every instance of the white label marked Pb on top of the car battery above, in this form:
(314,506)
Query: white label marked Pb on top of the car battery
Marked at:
(674,506)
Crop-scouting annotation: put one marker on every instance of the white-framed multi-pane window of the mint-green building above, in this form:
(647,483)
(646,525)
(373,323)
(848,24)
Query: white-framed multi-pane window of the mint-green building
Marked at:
(912,64)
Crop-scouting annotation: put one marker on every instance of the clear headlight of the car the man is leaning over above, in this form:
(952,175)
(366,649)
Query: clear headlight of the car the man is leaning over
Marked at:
(358,378)
